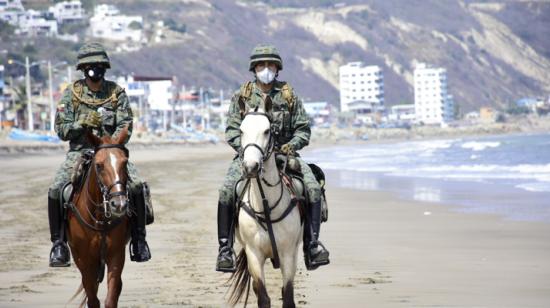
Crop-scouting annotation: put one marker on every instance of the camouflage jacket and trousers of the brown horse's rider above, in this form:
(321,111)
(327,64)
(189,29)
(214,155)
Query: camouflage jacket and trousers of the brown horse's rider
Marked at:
(115,116)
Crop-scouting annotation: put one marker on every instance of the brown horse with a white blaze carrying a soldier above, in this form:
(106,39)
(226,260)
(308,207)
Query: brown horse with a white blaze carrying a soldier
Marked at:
(98,223)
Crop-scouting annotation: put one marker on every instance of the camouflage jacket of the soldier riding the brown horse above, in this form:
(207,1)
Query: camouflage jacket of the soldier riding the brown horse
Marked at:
(78,99)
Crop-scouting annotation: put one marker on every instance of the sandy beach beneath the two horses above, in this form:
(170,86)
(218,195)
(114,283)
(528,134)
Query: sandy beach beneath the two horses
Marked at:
(385,251)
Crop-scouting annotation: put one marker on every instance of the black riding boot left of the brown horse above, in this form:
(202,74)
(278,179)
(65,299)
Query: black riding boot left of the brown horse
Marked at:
(59,254)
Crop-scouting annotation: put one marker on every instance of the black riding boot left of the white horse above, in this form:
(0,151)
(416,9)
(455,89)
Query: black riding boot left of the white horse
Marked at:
(226,255)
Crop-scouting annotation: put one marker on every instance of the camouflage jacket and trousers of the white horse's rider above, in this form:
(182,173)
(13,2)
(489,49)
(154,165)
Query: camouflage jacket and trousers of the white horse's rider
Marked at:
(291,123)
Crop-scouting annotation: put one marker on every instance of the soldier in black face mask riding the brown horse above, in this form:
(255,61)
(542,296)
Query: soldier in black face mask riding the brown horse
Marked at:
(93,103)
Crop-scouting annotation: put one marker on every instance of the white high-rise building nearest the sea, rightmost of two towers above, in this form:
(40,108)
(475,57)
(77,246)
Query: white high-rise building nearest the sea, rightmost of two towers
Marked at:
(433,104)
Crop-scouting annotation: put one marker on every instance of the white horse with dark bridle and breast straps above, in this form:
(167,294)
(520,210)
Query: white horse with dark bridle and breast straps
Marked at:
(263,187)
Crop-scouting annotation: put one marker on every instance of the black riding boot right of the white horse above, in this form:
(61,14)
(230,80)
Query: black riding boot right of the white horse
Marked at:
(315,253)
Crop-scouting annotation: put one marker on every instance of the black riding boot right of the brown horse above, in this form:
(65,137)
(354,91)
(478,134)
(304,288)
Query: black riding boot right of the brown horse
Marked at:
(139,250)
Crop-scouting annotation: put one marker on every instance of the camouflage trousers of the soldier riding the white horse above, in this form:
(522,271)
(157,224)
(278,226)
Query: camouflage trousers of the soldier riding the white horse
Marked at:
(234,173)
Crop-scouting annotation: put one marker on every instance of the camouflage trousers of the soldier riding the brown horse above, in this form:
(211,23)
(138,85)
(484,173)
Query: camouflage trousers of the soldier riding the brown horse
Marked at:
(63,175)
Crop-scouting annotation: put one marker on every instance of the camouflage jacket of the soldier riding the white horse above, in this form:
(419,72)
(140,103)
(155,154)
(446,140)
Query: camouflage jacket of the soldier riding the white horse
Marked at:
(290,119)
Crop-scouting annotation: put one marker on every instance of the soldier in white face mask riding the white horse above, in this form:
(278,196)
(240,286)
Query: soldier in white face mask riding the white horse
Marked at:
(291,133)
